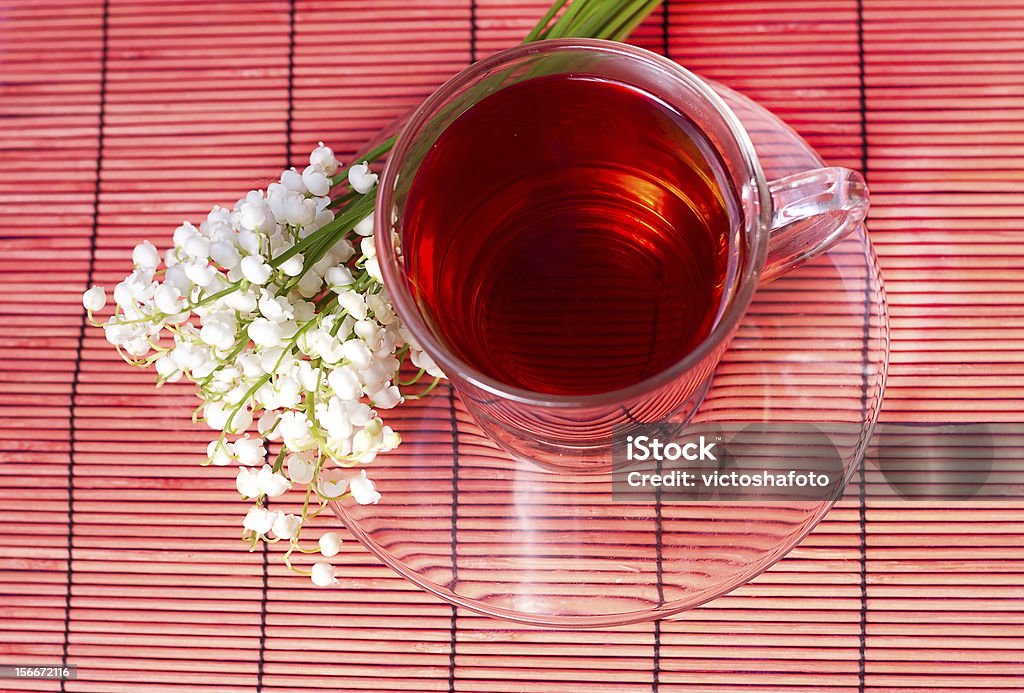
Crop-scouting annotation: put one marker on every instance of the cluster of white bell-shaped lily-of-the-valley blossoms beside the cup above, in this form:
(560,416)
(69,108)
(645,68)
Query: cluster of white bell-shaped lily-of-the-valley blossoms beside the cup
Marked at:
(277,311)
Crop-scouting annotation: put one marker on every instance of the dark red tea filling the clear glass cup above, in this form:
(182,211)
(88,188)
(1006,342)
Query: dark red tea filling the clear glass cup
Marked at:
(570,236)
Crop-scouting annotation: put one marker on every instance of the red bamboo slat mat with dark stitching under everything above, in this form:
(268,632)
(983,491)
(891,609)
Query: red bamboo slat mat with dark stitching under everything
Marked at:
(119,553)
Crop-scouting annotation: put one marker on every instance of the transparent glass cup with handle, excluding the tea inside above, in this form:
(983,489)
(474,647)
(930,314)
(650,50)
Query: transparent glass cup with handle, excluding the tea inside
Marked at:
(775,228)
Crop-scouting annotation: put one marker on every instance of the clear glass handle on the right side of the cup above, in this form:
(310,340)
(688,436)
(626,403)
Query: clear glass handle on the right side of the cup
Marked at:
(813,211)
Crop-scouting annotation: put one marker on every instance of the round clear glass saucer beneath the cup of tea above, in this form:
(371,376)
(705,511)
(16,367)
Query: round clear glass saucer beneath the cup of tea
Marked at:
(467,523)
